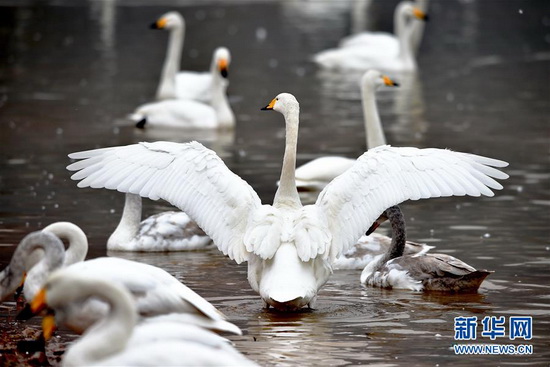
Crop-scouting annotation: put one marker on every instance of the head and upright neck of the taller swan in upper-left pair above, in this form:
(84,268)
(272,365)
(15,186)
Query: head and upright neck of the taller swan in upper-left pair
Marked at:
(172,21)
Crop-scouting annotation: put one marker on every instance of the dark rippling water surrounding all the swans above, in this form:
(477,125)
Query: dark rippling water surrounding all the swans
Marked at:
(71,71)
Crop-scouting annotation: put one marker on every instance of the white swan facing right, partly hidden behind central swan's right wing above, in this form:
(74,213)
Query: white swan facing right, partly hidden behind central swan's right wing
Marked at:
(317,173)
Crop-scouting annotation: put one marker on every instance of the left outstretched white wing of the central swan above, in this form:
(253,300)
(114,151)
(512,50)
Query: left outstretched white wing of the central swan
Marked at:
(189,176)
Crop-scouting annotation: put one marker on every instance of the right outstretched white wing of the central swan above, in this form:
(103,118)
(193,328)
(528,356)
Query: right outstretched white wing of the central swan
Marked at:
(386,176)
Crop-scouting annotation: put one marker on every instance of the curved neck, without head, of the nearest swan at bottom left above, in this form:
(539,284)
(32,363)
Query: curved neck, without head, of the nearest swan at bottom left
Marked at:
(108,336)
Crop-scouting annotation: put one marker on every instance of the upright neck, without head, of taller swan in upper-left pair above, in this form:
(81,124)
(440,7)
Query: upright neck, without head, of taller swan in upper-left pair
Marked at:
(167,86)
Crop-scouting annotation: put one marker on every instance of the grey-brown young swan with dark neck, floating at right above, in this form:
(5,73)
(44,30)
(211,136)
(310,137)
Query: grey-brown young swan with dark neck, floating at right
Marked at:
(428,272)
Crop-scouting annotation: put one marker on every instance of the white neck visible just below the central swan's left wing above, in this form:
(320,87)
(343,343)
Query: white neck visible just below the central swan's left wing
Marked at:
(128,226)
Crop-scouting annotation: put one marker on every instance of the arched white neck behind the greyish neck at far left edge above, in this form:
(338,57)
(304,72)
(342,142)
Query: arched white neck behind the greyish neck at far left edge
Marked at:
(78,243)
